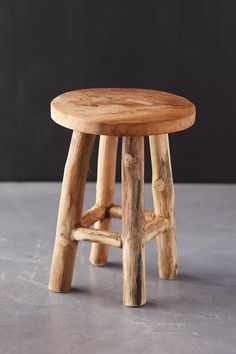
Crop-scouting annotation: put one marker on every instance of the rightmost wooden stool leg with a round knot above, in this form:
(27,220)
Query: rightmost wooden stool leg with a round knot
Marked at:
(164,203)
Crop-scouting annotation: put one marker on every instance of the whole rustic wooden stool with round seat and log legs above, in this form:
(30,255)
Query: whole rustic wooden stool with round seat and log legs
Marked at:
(132,114)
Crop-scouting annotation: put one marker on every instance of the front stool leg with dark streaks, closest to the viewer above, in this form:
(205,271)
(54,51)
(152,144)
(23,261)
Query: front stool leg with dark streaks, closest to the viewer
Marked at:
(134,288)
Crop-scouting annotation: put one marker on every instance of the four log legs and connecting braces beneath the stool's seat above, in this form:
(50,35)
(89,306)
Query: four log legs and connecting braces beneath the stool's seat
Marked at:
(138,226)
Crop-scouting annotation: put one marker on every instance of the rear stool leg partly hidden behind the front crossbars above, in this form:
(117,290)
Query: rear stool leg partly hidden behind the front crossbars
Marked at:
(105,192)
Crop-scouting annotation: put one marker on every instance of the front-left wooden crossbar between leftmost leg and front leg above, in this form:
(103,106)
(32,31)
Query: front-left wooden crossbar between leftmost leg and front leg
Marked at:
(98,236)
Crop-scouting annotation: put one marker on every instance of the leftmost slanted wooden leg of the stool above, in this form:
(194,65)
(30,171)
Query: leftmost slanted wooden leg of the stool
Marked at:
(70,209)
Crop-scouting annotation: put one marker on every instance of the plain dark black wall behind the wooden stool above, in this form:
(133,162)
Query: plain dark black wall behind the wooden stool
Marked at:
(48,47)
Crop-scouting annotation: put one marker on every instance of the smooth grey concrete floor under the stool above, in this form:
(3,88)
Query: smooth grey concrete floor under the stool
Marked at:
(194,314)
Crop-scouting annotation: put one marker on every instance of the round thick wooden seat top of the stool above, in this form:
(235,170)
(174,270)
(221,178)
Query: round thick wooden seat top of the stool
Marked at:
(122,111)
